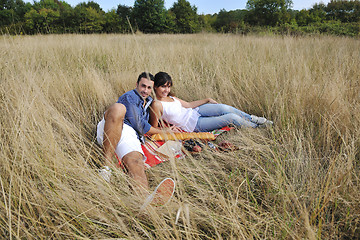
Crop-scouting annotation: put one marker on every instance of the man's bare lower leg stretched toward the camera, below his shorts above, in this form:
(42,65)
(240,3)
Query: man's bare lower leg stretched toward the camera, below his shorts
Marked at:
(134,163)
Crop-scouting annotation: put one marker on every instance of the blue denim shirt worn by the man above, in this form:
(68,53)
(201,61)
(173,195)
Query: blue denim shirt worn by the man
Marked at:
(137,115)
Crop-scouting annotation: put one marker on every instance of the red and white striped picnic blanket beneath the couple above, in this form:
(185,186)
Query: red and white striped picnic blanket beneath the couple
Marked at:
(153,158)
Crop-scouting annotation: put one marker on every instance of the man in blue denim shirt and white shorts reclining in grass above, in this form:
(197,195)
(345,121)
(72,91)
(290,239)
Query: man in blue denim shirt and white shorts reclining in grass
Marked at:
(122,129)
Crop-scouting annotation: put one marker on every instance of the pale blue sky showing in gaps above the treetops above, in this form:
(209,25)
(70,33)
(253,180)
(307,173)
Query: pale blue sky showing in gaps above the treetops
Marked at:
(203,6)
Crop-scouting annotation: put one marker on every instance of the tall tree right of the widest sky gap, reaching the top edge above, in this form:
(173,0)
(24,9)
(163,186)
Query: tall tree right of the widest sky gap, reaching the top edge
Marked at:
(268,12)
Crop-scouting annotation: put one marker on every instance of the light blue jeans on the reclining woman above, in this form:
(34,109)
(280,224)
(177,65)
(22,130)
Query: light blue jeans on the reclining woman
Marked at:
(214,116)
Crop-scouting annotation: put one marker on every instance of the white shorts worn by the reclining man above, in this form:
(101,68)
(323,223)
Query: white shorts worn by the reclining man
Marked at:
(129,141)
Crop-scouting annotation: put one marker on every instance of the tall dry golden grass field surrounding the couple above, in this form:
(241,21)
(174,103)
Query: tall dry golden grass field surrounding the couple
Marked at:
(298,180)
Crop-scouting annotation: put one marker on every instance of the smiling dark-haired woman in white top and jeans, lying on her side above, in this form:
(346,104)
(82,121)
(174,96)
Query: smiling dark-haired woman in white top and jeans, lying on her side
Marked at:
(198,116)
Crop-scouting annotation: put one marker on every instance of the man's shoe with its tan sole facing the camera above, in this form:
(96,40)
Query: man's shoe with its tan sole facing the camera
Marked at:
(161,195)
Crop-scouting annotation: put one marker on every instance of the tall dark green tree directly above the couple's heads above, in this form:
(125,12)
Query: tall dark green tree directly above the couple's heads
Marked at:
(150,16)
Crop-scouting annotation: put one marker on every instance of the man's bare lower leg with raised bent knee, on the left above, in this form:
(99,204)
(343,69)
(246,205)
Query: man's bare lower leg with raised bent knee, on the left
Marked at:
(114,119)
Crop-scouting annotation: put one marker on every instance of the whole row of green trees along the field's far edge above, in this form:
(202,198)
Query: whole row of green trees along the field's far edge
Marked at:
(341,17)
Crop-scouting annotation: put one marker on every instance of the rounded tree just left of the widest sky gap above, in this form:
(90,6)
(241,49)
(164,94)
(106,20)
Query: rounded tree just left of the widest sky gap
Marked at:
(186,18)
